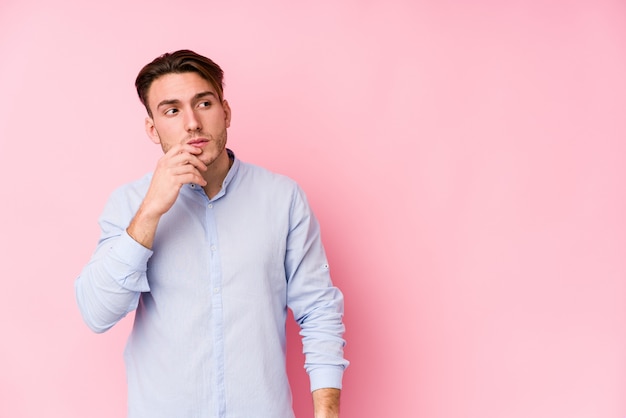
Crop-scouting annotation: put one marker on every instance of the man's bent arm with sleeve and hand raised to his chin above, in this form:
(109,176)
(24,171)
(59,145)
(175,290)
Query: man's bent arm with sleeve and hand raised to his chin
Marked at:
(110,285)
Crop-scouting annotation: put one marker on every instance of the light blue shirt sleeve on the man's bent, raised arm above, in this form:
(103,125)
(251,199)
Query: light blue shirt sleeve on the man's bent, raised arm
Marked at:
(109,286)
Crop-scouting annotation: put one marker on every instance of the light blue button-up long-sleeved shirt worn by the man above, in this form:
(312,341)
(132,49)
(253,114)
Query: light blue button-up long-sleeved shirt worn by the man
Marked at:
(211,298)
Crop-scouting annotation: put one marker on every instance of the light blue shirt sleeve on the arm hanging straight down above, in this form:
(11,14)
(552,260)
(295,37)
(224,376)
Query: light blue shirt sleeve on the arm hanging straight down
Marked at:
(317,305)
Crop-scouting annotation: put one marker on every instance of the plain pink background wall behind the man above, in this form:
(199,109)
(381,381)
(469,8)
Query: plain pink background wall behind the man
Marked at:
(467,163)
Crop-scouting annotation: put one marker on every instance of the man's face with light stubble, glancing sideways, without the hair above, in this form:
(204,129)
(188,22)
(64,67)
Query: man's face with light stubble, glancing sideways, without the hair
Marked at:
(186,110)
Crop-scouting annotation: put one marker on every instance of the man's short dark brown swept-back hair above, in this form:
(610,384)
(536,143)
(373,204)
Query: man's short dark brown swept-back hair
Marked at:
(183,61)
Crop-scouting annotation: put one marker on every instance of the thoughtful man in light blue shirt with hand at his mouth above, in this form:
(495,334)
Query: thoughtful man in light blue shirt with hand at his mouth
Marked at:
(210,252)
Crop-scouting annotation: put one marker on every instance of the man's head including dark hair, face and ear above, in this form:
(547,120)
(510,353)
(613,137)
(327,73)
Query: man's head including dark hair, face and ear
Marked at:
(182,92)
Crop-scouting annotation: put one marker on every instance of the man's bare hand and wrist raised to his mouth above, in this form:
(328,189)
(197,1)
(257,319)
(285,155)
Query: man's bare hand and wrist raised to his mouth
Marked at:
(177,167)
